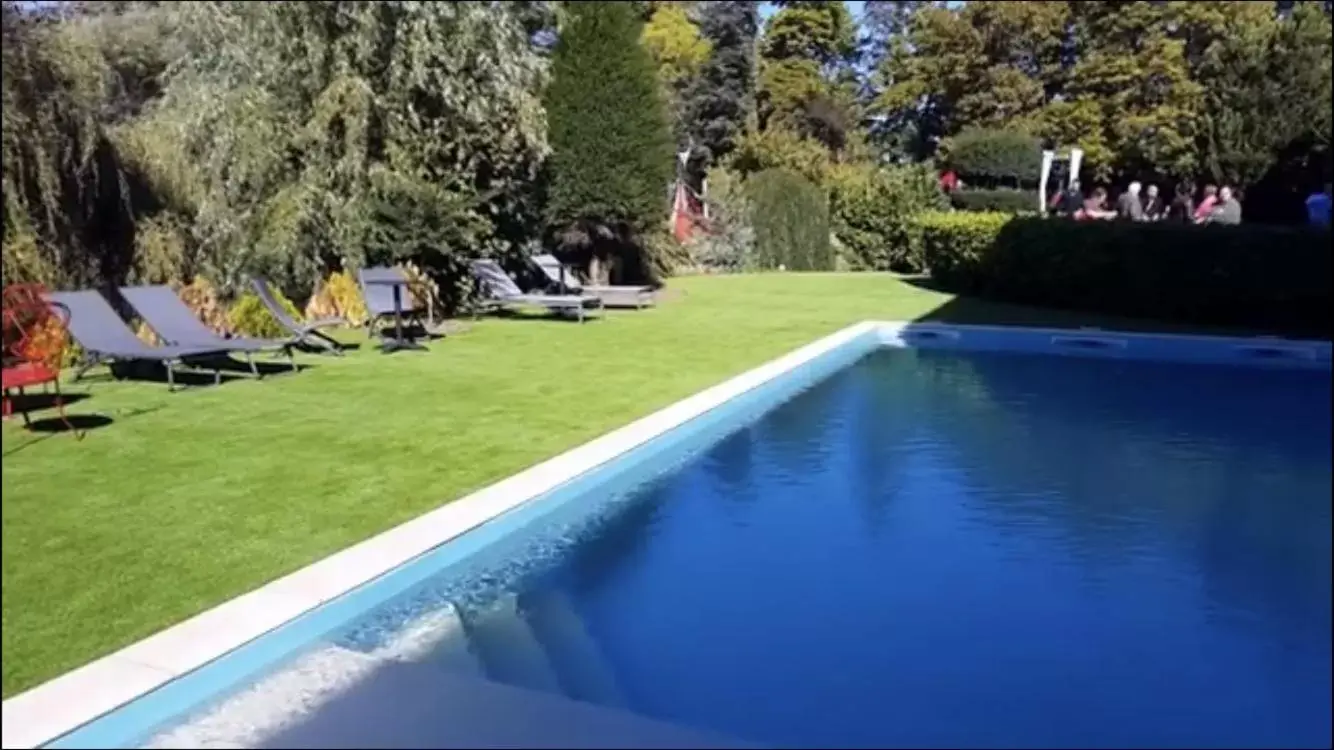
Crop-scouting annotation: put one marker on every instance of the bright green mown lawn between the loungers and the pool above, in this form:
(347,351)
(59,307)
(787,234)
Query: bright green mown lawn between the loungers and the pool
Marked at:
(186,500)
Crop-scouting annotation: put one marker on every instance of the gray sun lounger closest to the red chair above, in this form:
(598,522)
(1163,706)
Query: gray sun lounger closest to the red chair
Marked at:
(105,338)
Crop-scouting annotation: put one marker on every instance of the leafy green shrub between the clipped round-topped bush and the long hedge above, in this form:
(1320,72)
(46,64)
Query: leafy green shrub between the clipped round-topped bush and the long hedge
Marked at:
(873,213)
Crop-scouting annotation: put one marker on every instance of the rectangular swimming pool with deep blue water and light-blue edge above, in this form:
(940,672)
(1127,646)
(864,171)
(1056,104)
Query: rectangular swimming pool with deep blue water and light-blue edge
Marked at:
(964,538)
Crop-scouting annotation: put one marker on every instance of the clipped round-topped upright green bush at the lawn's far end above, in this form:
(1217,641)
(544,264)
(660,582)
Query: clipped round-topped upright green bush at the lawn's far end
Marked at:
(792,222)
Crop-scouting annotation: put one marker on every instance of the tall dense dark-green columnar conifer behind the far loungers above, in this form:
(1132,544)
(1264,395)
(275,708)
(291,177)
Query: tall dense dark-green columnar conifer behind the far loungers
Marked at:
(612,153)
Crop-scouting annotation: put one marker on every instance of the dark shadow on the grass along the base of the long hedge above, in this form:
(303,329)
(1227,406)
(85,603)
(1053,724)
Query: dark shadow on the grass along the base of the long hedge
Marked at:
(966,310)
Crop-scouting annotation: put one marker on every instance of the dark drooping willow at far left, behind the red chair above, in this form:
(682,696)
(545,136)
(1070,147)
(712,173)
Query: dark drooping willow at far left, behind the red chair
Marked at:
(67,200)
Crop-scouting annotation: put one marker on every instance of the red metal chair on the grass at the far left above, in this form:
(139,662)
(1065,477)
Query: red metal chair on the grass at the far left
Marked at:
(35,336)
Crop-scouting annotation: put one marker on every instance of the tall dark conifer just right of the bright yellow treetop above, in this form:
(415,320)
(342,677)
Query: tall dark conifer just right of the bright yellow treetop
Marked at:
(722,99)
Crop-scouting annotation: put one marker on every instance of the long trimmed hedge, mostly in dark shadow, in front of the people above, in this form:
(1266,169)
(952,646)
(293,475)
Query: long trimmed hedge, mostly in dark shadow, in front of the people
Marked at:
(1251,277)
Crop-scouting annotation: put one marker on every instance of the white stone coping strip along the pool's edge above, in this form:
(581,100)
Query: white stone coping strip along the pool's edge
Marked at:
(81,696)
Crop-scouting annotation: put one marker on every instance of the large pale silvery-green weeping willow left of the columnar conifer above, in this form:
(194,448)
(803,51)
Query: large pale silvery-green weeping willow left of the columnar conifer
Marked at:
(295,137)
